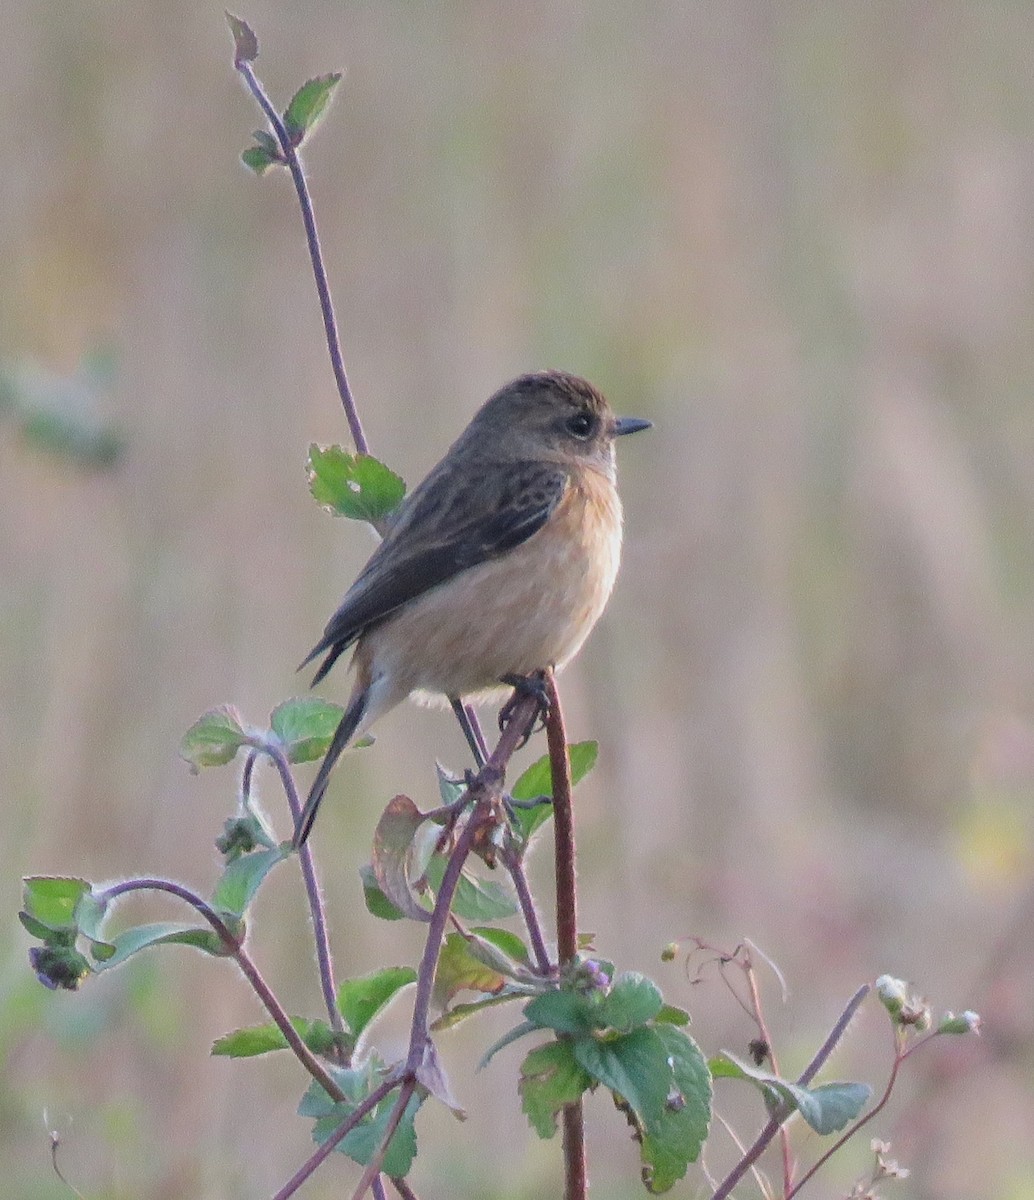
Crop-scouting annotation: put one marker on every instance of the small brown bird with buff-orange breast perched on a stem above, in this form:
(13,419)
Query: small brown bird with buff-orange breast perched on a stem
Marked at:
(496,567)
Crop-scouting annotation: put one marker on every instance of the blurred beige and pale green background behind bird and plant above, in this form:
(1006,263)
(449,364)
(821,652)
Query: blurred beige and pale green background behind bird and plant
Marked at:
(799,238)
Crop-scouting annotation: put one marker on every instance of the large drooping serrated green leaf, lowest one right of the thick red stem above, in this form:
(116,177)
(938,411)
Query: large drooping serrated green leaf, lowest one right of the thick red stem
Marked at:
(676,1137)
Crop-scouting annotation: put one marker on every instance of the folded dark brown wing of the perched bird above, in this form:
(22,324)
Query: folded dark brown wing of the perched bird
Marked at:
(449,525)
